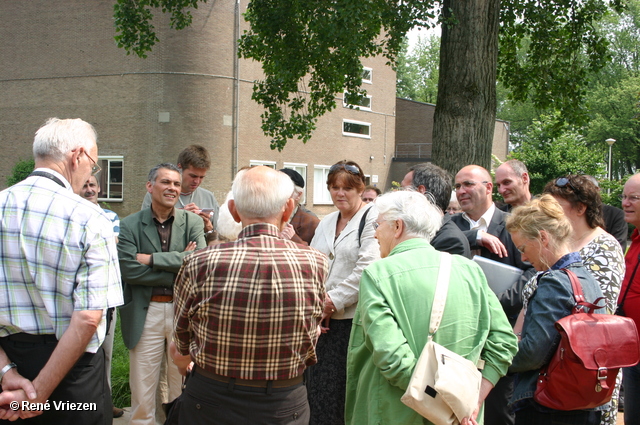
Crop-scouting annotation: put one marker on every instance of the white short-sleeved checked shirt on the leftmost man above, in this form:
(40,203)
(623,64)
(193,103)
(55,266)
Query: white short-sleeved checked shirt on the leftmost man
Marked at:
(57,255)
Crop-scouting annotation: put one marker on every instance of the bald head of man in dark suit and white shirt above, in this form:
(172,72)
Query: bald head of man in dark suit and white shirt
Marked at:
(473,189)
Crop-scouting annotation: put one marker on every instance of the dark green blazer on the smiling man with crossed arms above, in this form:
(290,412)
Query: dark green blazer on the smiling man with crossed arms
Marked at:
(138,234)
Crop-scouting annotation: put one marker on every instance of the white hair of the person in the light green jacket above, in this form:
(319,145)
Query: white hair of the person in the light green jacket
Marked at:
(421,217)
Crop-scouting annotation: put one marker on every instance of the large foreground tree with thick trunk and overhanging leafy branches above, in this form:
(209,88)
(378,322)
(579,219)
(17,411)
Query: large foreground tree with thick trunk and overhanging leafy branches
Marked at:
(310,50)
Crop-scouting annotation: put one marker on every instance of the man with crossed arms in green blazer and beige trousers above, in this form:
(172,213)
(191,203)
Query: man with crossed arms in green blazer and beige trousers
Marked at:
(152,244)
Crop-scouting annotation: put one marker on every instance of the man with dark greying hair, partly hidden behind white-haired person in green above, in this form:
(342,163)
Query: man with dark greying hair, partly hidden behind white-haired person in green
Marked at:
(435,183)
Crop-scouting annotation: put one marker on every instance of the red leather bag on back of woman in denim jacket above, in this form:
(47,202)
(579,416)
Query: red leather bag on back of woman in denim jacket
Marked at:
(593,347)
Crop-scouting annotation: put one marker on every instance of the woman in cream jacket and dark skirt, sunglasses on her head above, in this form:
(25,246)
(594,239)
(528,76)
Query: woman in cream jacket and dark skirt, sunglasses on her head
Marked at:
(347,238)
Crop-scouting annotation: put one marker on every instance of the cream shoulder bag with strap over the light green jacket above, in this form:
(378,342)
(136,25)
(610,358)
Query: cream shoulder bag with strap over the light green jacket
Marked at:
(444,386)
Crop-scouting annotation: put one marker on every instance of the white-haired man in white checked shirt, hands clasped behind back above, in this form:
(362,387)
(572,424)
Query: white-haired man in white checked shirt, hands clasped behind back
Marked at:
(59,273)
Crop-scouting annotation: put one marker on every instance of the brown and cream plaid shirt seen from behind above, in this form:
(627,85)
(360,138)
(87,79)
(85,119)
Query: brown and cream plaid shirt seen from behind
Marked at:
(250,309)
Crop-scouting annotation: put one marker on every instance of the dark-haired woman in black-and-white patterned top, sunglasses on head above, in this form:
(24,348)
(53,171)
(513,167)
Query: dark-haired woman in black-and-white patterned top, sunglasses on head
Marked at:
(601,253)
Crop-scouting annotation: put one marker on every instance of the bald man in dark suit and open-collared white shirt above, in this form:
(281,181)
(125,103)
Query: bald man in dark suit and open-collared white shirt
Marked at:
(484,226)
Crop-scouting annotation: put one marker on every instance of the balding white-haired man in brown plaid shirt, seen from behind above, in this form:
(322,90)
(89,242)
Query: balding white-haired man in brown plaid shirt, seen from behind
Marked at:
(248,313)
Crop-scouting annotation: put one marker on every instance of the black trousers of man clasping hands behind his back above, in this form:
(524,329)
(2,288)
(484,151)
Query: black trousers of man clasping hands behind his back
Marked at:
(86,382)
